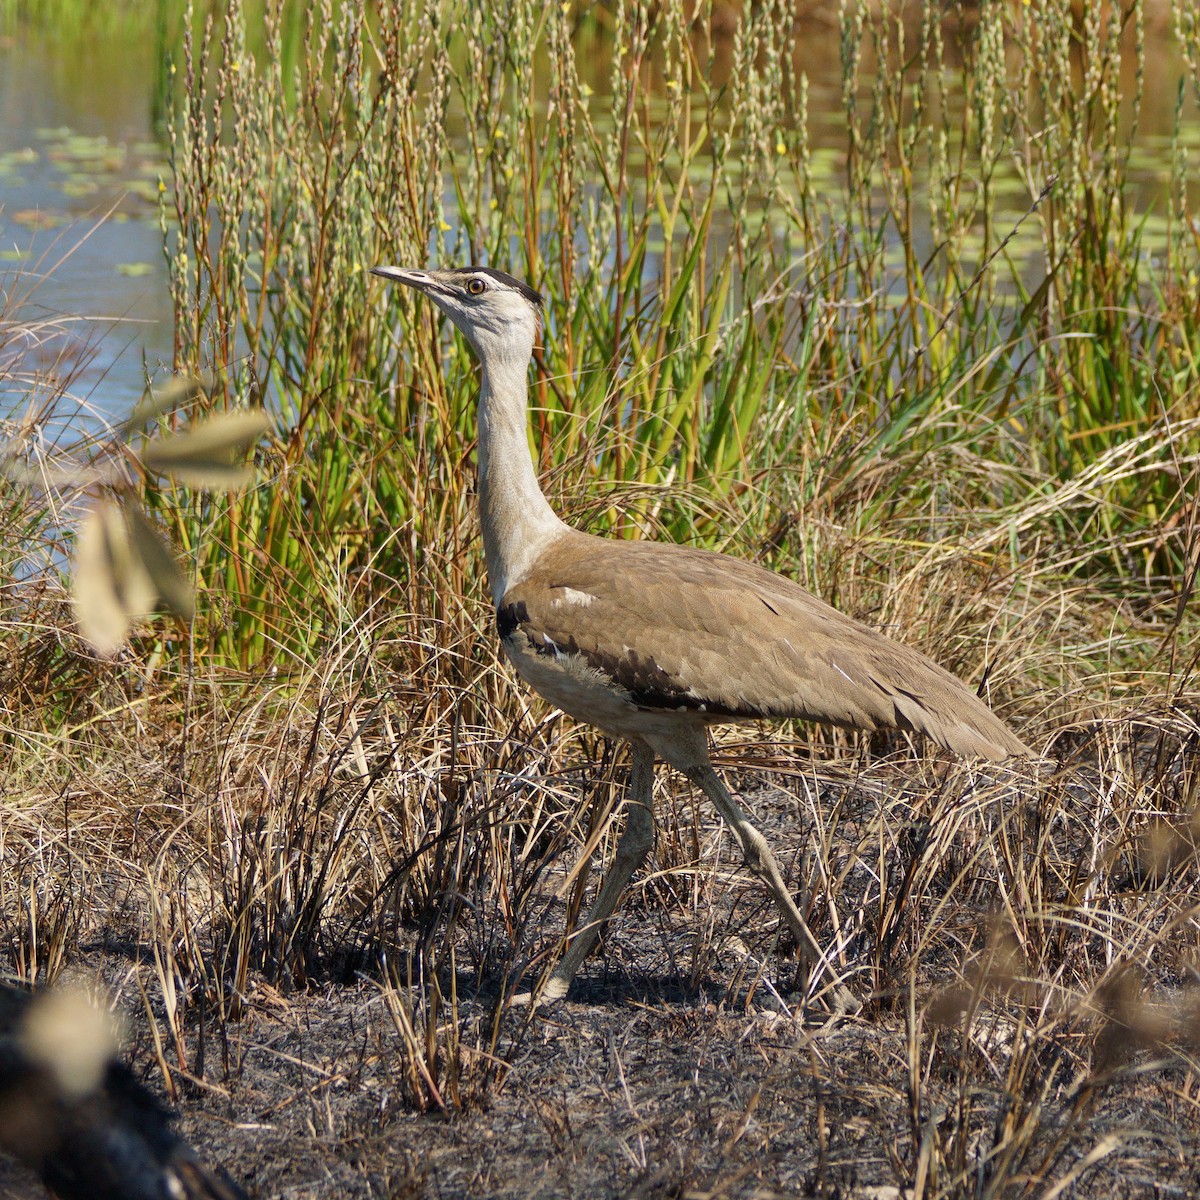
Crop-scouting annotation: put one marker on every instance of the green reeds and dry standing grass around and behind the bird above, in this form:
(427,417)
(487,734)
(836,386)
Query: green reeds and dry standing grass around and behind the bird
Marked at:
(945,371)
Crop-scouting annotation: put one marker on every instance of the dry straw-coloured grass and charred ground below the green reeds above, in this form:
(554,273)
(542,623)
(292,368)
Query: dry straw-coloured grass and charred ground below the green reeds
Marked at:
(317,895)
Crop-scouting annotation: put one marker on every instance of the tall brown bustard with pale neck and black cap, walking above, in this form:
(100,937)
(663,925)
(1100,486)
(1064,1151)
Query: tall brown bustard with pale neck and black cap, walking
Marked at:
(655,643)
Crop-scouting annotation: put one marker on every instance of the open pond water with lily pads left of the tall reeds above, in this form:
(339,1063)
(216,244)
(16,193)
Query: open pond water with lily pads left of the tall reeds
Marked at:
(80,241)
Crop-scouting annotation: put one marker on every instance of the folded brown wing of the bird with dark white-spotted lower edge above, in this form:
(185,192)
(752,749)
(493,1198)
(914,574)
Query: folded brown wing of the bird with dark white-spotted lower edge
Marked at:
(681,628)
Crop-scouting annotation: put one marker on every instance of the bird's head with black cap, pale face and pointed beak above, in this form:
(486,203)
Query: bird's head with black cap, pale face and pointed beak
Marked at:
(497,314)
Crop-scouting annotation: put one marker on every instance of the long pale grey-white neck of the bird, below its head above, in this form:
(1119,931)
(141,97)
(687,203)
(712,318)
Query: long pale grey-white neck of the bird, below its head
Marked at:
(518,520)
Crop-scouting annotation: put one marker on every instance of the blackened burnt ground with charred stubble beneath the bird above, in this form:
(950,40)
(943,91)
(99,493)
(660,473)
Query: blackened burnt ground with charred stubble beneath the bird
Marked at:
(676,1075)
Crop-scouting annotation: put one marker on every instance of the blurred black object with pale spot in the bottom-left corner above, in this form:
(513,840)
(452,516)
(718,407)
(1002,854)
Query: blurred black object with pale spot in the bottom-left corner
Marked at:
(74,1113)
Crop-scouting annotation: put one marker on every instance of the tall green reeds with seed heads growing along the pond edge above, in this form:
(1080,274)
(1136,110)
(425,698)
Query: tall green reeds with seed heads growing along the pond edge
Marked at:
(725,308)
